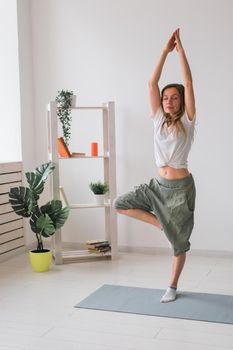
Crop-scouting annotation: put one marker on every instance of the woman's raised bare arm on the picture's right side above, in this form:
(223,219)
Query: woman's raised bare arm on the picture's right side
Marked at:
(187,77)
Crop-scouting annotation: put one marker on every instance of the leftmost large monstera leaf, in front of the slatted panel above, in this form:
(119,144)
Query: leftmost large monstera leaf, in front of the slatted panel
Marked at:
(22,201)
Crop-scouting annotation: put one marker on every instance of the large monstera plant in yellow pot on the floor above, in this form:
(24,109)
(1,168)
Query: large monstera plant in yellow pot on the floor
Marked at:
(45,220)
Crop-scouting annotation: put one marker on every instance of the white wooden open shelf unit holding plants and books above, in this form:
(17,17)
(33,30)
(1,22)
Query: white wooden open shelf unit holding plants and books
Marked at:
(109,159)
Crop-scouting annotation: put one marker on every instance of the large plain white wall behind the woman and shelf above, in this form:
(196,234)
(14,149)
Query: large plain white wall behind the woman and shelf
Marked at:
(106,50)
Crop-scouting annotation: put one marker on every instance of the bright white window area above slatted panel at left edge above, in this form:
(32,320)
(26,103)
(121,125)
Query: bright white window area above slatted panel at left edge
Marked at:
(10,140)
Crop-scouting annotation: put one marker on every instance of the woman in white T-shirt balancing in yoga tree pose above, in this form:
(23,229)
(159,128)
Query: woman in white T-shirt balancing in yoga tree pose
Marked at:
(168,202)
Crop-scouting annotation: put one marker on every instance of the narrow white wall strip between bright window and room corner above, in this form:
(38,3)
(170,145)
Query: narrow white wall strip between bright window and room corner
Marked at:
(25,63)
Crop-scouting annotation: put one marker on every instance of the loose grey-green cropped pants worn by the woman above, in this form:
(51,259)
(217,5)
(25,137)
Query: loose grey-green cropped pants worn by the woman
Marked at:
(173,204)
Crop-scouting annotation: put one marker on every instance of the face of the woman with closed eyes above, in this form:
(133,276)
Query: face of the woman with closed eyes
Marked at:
(171,100)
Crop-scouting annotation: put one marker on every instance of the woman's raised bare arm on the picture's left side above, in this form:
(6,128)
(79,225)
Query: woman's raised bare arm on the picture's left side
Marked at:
(154,92)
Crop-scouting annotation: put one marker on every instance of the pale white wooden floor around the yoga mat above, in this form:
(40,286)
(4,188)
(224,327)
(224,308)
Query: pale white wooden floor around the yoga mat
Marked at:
(37,309)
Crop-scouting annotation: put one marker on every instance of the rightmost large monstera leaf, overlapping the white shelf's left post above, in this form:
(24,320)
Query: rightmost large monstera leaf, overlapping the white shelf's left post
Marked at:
(57,214)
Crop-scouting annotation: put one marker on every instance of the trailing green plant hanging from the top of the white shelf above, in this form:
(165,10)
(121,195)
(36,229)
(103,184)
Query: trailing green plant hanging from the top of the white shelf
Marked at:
(64,102)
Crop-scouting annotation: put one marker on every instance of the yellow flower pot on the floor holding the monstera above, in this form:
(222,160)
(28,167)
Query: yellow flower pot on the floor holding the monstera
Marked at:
(40,261)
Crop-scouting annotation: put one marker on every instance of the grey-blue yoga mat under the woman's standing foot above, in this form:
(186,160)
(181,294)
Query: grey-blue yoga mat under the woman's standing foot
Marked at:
(146,301)
